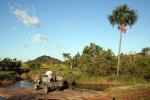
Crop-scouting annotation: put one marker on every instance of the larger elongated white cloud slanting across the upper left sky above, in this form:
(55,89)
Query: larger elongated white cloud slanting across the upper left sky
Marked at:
(24,17)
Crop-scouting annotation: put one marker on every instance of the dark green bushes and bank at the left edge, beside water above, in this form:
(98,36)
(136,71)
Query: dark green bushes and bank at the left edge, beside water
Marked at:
(10,69)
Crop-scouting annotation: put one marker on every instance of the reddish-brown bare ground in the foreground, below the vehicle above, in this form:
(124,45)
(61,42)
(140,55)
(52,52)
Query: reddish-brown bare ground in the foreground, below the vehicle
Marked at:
(67,94)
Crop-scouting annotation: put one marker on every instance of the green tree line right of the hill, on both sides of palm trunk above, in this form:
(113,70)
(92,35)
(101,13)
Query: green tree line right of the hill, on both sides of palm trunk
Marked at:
(97,61)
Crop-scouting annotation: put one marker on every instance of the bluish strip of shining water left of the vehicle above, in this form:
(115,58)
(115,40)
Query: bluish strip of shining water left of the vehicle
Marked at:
(19,84)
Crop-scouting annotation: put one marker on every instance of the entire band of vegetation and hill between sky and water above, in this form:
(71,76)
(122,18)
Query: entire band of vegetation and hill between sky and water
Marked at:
(94,65)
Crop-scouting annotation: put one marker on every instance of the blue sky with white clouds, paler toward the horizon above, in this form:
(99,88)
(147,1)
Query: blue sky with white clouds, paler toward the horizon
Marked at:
(32,28)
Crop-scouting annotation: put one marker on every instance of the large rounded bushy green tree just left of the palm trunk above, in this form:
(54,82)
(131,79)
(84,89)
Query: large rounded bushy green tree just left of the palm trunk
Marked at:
(94,61)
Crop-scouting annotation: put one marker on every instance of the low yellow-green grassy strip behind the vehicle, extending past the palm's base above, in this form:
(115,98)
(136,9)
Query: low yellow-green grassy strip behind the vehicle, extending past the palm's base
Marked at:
(83,78)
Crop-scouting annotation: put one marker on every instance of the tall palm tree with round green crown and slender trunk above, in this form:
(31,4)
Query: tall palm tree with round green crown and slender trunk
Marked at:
(122,16)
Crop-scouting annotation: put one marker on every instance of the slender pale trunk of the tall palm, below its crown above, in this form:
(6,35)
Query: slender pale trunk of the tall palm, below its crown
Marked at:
(120,42)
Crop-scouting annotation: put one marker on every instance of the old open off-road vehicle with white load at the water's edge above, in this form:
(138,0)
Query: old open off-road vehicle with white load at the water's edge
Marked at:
(48,82)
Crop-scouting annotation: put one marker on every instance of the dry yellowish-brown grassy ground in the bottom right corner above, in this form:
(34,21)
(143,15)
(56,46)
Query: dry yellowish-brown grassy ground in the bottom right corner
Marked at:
(133,92)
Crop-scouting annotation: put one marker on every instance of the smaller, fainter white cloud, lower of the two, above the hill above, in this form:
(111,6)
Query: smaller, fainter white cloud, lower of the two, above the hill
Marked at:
(39,39)
